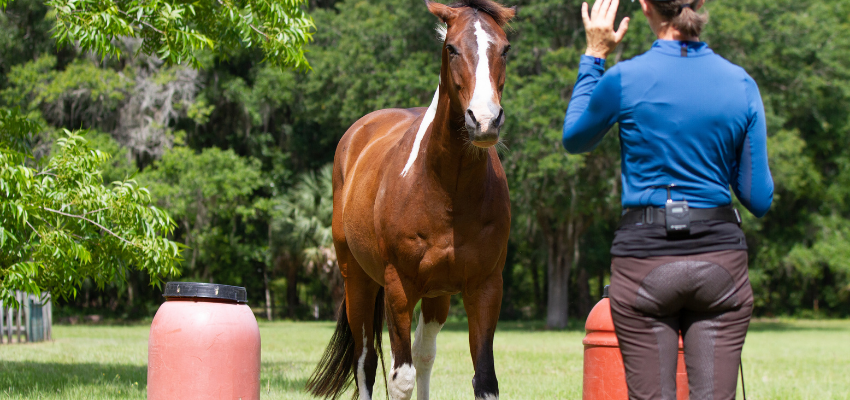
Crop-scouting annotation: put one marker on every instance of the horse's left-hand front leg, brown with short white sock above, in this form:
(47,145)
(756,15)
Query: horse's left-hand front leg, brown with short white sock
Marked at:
(399,309)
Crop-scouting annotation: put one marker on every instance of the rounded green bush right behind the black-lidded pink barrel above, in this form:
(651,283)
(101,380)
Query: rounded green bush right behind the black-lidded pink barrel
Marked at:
(208,194)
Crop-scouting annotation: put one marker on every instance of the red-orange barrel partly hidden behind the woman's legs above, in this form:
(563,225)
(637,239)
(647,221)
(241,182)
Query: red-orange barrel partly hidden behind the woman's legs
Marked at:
(604,374)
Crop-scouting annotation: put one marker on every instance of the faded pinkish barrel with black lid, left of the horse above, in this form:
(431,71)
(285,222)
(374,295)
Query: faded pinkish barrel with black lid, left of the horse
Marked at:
(204,344)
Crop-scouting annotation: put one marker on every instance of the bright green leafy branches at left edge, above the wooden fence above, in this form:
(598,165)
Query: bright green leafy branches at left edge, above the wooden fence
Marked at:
(59,225)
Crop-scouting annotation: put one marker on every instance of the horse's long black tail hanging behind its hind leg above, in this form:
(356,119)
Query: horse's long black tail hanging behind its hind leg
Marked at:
(337,368)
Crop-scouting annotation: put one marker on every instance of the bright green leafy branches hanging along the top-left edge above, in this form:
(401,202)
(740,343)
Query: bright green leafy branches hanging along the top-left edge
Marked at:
(176,31)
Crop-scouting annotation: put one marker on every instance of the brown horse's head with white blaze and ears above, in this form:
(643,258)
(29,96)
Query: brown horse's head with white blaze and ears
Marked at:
(475,55)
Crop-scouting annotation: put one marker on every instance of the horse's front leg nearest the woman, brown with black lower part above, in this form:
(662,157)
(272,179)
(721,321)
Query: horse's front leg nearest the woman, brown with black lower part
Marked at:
(482,300)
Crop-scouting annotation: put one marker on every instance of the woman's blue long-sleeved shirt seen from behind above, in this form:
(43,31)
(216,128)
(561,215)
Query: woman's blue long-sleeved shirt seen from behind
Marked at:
(697,122)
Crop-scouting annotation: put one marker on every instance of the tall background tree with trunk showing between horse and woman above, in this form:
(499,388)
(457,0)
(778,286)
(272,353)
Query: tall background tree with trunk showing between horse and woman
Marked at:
(556,197)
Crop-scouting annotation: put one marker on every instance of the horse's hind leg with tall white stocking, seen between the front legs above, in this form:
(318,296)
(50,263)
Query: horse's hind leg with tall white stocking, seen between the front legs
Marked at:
(431,319)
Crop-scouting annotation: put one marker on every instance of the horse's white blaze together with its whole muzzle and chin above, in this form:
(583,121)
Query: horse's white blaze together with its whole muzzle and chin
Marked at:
(484,116)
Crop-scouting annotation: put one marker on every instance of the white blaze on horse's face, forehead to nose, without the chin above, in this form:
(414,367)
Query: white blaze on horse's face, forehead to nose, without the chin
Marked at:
(481,103)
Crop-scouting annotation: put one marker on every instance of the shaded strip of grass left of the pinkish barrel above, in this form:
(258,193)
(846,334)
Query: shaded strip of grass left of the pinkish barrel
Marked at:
(33,378)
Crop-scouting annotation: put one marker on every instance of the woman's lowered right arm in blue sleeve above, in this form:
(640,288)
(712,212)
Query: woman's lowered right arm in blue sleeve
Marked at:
(753,183)
